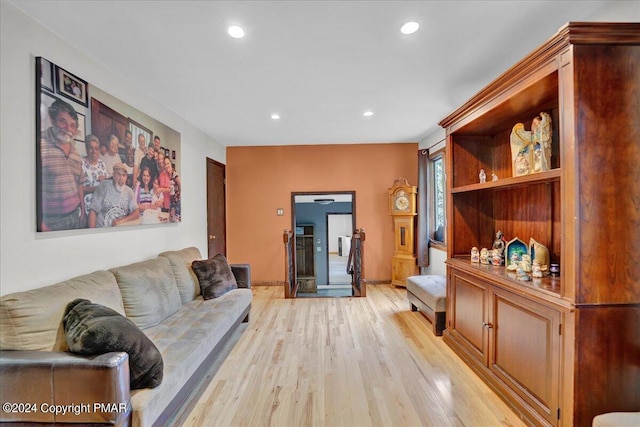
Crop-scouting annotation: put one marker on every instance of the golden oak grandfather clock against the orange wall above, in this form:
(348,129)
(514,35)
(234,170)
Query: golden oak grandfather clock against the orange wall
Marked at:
(402,208)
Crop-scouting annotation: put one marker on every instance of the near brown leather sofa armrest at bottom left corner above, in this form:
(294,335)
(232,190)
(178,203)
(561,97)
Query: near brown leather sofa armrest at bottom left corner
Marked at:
(60,387)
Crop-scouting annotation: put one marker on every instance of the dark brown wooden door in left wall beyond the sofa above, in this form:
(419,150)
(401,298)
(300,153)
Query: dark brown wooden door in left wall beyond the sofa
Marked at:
(216,208)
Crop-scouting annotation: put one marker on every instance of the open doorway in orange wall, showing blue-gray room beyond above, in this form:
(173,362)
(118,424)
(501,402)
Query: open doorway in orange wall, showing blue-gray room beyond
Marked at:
(314,241)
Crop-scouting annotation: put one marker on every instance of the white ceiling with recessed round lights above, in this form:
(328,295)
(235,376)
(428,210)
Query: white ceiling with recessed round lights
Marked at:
(319,64)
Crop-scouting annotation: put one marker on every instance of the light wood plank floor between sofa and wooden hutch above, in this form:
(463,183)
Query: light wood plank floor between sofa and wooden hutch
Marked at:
(344,362)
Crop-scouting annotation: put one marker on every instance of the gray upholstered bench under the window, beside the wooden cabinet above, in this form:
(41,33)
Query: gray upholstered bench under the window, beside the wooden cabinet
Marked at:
(428,294)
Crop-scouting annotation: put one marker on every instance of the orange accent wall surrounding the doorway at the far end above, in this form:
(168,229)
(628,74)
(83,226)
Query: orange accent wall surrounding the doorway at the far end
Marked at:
(261,179)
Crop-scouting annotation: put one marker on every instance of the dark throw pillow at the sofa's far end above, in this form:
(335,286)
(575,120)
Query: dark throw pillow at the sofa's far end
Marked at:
(215,276)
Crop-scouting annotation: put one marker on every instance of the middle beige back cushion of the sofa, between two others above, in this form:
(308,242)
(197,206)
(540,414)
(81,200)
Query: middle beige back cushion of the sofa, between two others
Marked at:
(149,291)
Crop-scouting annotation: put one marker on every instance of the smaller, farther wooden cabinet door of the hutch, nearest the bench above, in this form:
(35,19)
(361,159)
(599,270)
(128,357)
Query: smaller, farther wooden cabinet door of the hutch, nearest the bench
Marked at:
(468,314)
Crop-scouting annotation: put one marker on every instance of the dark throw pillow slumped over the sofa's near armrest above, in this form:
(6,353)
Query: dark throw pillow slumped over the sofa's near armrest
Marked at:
(95,329)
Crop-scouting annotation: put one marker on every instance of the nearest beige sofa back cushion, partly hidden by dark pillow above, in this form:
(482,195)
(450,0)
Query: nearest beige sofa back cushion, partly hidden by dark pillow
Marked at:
(32,320)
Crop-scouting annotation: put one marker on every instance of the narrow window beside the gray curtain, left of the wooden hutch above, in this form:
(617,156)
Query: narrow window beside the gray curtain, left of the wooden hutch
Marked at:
(438,199)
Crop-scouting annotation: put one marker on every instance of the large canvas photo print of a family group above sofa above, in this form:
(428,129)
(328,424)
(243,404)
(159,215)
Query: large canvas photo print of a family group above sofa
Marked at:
(100,162)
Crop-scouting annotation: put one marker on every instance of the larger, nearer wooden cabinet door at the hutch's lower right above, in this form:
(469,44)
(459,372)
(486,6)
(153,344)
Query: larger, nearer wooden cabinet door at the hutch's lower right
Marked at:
(524,350)
